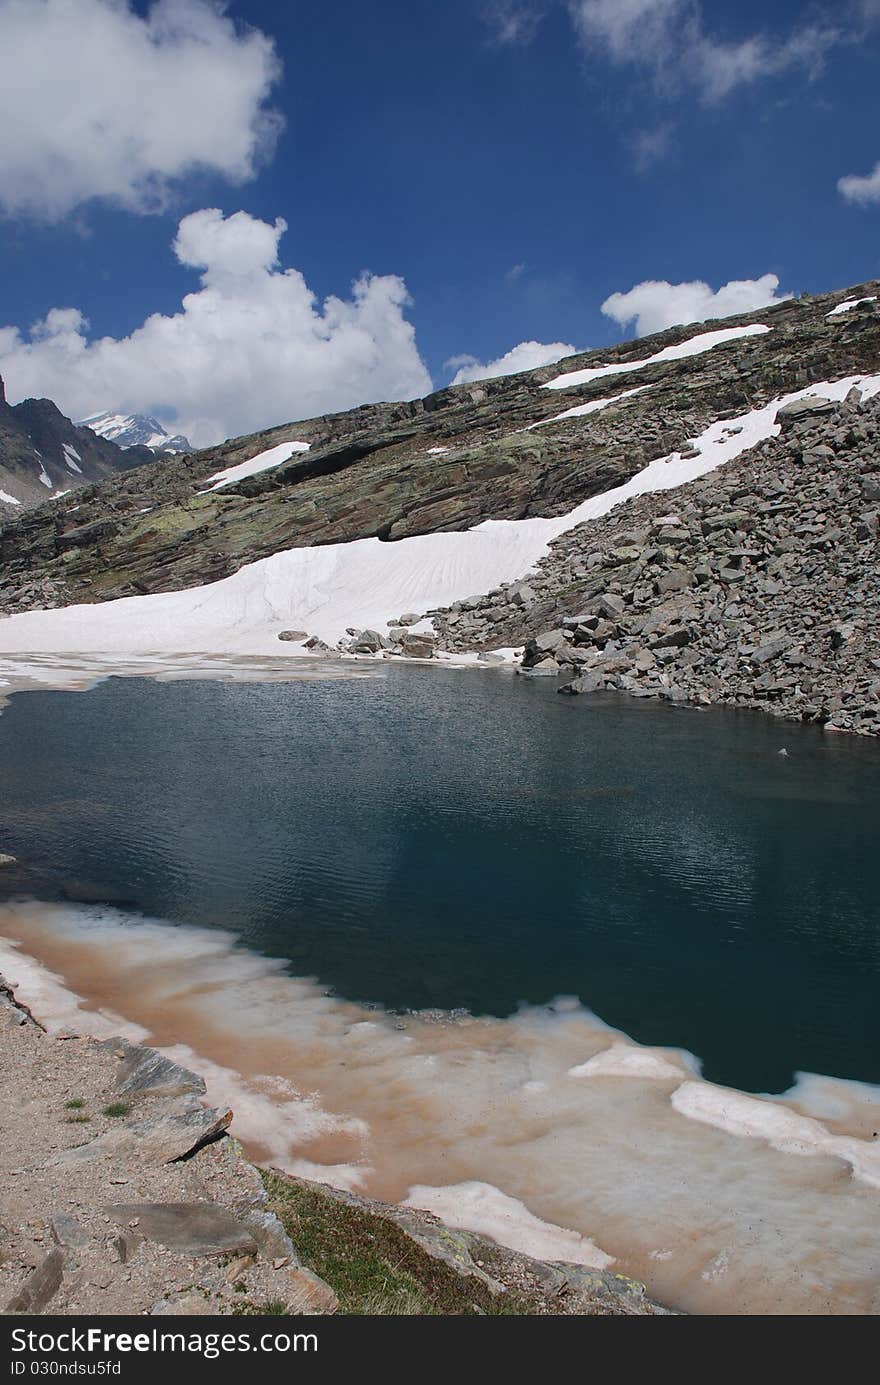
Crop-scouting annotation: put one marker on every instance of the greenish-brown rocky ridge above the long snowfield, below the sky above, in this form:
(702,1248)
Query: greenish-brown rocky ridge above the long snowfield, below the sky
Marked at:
(441,463)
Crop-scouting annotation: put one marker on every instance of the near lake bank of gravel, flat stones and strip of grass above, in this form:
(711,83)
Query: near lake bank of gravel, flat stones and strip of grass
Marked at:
(211,1235)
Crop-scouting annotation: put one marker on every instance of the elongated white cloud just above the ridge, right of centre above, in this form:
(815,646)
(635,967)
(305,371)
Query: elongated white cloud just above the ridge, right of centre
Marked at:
(656,304)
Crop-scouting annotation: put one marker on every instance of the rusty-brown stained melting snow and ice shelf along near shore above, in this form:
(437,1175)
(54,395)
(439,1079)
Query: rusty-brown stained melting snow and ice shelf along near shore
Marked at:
(547,1129)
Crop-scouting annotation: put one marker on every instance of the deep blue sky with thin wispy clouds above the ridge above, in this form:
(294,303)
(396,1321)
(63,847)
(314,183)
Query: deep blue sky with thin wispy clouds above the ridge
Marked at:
(515,164)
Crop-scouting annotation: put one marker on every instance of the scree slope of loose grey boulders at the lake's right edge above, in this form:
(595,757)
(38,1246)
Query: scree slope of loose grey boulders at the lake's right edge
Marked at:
(757,585)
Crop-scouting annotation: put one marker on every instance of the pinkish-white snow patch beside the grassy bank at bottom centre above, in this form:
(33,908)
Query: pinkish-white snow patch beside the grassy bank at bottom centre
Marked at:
(487,1211)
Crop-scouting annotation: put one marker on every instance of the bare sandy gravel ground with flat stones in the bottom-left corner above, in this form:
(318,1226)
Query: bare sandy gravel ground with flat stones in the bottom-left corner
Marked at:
(53,1098)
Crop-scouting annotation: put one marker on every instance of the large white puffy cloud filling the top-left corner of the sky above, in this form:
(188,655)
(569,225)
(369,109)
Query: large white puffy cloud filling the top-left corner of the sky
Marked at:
(99,102)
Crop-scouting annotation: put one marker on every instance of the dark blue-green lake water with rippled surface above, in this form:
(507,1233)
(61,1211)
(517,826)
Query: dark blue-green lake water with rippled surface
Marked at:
(440,839)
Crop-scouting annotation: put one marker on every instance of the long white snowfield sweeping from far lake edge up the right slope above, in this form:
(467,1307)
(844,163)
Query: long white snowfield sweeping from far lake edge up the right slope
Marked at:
(368,584)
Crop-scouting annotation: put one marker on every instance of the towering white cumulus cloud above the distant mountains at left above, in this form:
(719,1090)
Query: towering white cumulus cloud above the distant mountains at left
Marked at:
(250,348)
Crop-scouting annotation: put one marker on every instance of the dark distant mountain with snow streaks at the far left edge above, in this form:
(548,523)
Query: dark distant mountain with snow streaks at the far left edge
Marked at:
(42,455)
